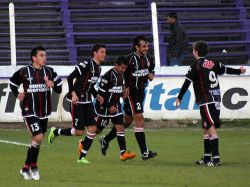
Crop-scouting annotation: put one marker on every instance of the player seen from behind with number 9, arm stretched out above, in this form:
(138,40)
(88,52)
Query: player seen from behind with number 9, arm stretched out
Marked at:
(203,74)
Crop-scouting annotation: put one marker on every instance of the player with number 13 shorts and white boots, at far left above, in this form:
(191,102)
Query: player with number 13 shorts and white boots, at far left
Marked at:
(37,80)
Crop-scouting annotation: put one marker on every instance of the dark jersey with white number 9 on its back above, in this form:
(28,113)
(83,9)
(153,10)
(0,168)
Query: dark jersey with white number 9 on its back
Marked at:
(203,73)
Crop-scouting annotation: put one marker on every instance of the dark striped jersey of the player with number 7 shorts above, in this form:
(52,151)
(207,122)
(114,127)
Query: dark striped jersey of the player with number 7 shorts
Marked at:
(86,74)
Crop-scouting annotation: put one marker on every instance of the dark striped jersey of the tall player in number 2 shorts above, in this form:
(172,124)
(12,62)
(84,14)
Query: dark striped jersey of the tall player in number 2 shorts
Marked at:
(136,74)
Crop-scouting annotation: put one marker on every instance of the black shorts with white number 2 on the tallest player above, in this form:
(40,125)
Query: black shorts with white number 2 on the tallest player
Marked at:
(133,104)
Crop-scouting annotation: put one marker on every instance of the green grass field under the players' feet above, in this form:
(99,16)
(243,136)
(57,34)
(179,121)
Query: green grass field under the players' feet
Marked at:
(177,149)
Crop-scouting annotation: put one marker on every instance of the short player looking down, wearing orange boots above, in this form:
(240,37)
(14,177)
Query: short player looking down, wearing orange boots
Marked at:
(111,88)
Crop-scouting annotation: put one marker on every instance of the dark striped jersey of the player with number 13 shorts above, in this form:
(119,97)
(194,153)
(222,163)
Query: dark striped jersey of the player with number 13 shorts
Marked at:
(37,100)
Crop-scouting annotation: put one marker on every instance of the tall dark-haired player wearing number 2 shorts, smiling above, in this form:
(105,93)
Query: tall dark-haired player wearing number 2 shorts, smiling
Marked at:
(139,71)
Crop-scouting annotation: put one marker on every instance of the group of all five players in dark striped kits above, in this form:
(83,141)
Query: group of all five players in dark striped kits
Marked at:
(128,80)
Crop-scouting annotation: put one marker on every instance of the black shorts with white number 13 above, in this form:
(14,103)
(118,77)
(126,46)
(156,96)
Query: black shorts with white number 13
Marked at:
(35,125)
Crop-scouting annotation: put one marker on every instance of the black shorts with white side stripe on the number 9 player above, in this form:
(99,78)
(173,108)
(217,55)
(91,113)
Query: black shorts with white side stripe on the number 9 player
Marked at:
(210,115)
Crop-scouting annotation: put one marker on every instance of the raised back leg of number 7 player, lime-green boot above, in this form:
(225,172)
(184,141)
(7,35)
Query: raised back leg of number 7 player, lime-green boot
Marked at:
(77,128)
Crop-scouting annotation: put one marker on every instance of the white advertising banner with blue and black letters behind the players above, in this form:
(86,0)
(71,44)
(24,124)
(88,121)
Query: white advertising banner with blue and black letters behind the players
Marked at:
(159,101)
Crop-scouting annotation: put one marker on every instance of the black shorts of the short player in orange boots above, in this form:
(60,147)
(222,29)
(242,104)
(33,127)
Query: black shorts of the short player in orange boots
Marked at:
(102,122)
